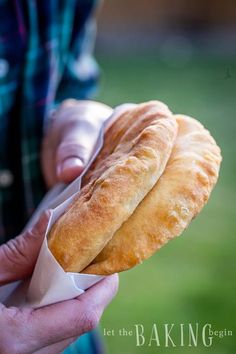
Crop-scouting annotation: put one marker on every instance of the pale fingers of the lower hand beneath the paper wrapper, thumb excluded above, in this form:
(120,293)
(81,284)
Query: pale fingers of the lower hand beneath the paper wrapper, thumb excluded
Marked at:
(52,328)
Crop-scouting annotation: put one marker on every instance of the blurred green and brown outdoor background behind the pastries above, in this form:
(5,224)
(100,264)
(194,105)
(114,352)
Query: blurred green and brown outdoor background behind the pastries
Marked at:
(182,53)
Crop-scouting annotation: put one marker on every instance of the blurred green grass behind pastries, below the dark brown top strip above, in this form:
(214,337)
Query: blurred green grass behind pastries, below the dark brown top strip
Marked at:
(192,279)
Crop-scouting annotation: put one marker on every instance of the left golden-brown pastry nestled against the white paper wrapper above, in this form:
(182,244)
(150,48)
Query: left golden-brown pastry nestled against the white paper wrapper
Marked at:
(137,147)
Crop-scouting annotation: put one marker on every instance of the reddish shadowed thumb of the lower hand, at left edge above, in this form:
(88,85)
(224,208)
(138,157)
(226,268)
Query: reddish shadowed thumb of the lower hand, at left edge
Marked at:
(19,255)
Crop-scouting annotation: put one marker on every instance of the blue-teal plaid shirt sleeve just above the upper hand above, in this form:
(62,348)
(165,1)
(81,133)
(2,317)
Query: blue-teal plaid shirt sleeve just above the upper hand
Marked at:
(81,72)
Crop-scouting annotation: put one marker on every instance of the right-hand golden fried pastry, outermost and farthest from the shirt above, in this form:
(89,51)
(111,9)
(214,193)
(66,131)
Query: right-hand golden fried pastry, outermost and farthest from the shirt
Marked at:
(177,197)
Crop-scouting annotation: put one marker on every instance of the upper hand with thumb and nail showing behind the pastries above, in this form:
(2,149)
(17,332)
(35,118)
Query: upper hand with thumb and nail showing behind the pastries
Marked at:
(70,139)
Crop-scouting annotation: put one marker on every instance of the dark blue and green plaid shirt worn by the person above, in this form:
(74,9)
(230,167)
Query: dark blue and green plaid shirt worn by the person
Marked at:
(45,57)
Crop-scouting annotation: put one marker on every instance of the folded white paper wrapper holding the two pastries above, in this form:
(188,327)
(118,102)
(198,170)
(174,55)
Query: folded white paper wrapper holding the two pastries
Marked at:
(50,283)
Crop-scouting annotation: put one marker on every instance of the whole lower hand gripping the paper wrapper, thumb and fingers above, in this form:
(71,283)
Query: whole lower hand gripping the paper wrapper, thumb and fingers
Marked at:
(51,329)
